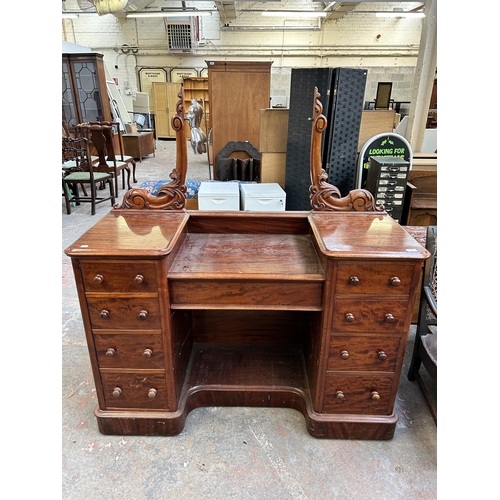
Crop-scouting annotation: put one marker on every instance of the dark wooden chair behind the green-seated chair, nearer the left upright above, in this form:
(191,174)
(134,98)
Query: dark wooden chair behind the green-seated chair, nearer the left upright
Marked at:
(102,140)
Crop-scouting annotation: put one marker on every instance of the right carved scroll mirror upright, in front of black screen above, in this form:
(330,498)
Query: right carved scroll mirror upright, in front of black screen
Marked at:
(325,196)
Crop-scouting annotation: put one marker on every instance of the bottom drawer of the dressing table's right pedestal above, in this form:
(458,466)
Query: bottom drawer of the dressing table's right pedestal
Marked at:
(357,395)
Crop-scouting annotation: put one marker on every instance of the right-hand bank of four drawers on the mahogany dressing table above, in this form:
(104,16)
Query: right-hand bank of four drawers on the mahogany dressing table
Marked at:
(368,324)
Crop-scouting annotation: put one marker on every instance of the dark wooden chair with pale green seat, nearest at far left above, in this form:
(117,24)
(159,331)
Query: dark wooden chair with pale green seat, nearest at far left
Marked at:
(78,170)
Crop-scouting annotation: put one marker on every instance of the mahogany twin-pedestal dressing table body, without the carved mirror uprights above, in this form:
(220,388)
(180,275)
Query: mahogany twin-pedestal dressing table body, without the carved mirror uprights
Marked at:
(305,310)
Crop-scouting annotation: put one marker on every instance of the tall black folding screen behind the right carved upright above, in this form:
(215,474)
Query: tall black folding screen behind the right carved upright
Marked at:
(342,93)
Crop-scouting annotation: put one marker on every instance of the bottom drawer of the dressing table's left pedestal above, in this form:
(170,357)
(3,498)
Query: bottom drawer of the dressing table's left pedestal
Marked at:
(133,389)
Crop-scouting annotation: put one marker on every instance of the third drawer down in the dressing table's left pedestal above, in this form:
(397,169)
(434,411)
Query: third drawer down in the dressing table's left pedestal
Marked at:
(130,351)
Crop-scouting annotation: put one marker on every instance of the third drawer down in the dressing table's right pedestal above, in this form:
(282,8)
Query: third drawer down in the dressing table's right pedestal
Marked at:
(363,353)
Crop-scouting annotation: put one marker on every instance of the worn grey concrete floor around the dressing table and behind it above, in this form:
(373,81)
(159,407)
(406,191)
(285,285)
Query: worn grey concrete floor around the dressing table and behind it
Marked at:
(224,453)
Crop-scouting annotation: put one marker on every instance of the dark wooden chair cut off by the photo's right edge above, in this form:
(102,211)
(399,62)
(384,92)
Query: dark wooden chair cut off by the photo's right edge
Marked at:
(425,349)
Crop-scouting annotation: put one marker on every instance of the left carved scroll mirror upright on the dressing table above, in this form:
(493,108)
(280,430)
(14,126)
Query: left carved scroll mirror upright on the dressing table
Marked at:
(172,195)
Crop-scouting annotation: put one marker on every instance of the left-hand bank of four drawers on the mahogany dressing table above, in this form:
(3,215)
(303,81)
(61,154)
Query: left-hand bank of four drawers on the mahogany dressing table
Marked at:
(125,321)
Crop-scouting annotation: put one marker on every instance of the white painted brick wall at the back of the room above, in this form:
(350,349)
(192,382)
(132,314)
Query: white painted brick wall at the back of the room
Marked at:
(348,42)
